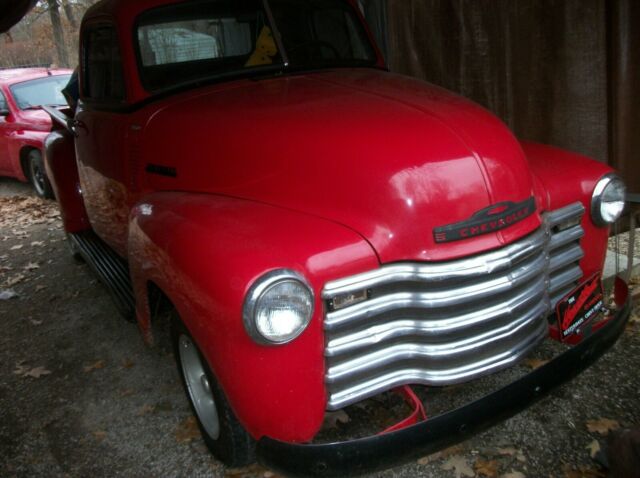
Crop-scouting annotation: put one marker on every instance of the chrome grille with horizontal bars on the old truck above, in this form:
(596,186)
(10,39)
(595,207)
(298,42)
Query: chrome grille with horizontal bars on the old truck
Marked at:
(446,323)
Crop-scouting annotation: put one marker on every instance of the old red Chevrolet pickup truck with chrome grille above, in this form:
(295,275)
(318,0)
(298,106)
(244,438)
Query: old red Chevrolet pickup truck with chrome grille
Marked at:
(316,231)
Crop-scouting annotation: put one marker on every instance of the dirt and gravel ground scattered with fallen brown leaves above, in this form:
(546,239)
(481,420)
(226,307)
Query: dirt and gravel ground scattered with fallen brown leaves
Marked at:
(81,395)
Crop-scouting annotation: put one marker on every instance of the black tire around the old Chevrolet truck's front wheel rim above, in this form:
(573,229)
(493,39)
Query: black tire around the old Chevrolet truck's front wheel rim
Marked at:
(233,446)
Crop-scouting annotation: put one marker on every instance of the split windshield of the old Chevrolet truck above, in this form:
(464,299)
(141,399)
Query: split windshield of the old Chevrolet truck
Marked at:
(202,39)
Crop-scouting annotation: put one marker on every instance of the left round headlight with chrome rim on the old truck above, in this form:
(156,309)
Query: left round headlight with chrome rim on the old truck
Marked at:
(278,307)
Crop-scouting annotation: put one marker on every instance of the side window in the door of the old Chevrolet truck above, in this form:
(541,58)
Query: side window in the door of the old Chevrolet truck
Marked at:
(103,79)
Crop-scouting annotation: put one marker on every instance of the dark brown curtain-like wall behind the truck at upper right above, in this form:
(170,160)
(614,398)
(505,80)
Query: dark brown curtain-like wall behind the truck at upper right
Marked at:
(562,72)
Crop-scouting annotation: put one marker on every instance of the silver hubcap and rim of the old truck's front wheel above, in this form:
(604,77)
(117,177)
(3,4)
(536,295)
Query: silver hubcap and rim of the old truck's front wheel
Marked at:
(198,386)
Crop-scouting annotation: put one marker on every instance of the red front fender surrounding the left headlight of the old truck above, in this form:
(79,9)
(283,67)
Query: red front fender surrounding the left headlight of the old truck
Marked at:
(205,252)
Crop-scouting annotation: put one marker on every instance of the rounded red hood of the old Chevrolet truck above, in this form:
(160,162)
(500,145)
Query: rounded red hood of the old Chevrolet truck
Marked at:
(389,157)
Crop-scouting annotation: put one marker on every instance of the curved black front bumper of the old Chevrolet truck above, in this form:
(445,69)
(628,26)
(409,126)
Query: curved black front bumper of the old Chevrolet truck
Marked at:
(383,451)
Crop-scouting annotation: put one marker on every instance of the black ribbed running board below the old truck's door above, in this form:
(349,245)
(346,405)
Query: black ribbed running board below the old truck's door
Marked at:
(110,268)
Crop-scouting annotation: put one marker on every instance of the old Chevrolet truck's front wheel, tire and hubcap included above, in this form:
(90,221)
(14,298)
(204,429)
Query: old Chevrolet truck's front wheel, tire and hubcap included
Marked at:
(223,434)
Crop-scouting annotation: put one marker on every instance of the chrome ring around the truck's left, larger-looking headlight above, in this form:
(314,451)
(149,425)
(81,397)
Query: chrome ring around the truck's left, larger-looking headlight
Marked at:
(259,291)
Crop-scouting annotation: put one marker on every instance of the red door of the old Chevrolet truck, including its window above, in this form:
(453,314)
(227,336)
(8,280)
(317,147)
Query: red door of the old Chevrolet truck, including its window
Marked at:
(100,127)
